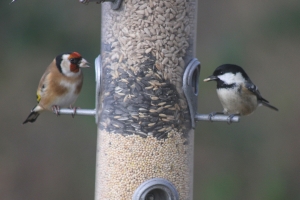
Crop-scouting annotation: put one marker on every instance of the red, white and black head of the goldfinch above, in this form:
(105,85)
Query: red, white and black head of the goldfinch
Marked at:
(69,64)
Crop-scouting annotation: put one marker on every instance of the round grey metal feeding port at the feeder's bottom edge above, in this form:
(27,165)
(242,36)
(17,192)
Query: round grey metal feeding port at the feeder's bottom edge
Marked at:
(156,189)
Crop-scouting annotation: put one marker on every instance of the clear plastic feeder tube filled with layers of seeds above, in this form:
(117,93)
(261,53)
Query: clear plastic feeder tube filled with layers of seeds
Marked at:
(144,128)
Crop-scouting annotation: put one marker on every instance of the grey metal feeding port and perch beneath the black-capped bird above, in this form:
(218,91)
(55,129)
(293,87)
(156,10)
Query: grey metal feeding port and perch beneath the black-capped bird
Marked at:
(190,89)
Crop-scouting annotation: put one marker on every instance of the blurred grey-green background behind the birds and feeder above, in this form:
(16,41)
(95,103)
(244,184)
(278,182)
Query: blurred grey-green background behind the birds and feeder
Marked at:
(54,158)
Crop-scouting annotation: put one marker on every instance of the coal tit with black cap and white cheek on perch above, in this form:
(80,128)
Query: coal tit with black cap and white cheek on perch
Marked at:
(237,93)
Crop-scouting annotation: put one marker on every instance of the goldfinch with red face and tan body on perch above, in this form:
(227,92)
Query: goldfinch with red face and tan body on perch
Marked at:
(60,85)
